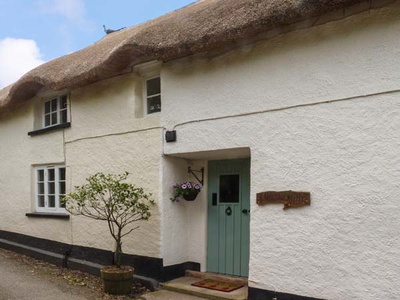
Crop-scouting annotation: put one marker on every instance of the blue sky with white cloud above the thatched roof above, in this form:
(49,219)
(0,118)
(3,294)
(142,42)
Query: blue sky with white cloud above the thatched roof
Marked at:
(35,31)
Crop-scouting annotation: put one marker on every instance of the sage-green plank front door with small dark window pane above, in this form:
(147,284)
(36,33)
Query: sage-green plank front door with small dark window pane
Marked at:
(228,217)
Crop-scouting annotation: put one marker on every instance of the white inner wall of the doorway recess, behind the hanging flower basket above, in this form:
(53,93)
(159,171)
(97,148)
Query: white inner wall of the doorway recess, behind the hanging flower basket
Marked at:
(184,223)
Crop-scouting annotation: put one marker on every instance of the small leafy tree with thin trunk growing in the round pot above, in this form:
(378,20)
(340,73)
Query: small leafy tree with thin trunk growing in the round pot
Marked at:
(108,198)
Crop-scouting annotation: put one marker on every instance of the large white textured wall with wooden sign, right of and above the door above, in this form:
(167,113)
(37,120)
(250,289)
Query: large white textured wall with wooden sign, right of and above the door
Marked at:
(344,151)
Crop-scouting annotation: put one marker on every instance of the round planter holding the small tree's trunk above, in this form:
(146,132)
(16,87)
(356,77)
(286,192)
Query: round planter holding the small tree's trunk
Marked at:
(117,281)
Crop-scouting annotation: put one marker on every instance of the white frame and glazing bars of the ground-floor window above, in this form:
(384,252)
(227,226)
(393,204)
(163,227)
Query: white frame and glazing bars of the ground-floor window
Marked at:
(46,190)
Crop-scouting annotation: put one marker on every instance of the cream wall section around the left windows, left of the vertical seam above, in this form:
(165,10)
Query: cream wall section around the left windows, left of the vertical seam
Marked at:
(19,153)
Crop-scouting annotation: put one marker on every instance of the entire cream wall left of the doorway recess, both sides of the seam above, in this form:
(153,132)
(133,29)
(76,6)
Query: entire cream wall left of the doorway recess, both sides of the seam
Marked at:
(106,135)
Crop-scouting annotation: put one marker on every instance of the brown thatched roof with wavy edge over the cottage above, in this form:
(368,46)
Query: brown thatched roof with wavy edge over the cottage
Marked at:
(204,26)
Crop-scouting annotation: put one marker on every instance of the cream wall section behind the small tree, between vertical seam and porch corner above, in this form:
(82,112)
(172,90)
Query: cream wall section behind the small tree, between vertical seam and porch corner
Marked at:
(106,136)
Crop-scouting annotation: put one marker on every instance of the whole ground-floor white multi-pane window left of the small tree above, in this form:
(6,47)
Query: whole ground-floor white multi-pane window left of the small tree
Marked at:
(50,187)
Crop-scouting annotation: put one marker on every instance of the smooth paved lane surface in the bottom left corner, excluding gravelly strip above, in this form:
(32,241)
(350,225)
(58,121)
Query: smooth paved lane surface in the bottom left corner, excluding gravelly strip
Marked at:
(19,281)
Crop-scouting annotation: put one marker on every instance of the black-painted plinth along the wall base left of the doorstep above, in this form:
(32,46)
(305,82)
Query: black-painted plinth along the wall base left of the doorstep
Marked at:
(91,259)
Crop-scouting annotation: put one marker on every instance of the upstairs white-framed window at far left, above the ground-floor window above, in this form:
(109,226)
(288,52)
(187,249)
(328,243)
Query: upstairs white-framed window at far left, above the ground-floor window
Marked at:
(56,111)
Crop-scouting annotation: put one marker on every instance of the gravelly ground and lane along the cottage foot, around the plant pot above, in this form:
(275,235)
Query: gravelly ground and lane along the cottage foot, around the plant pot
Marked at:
(22,277)
